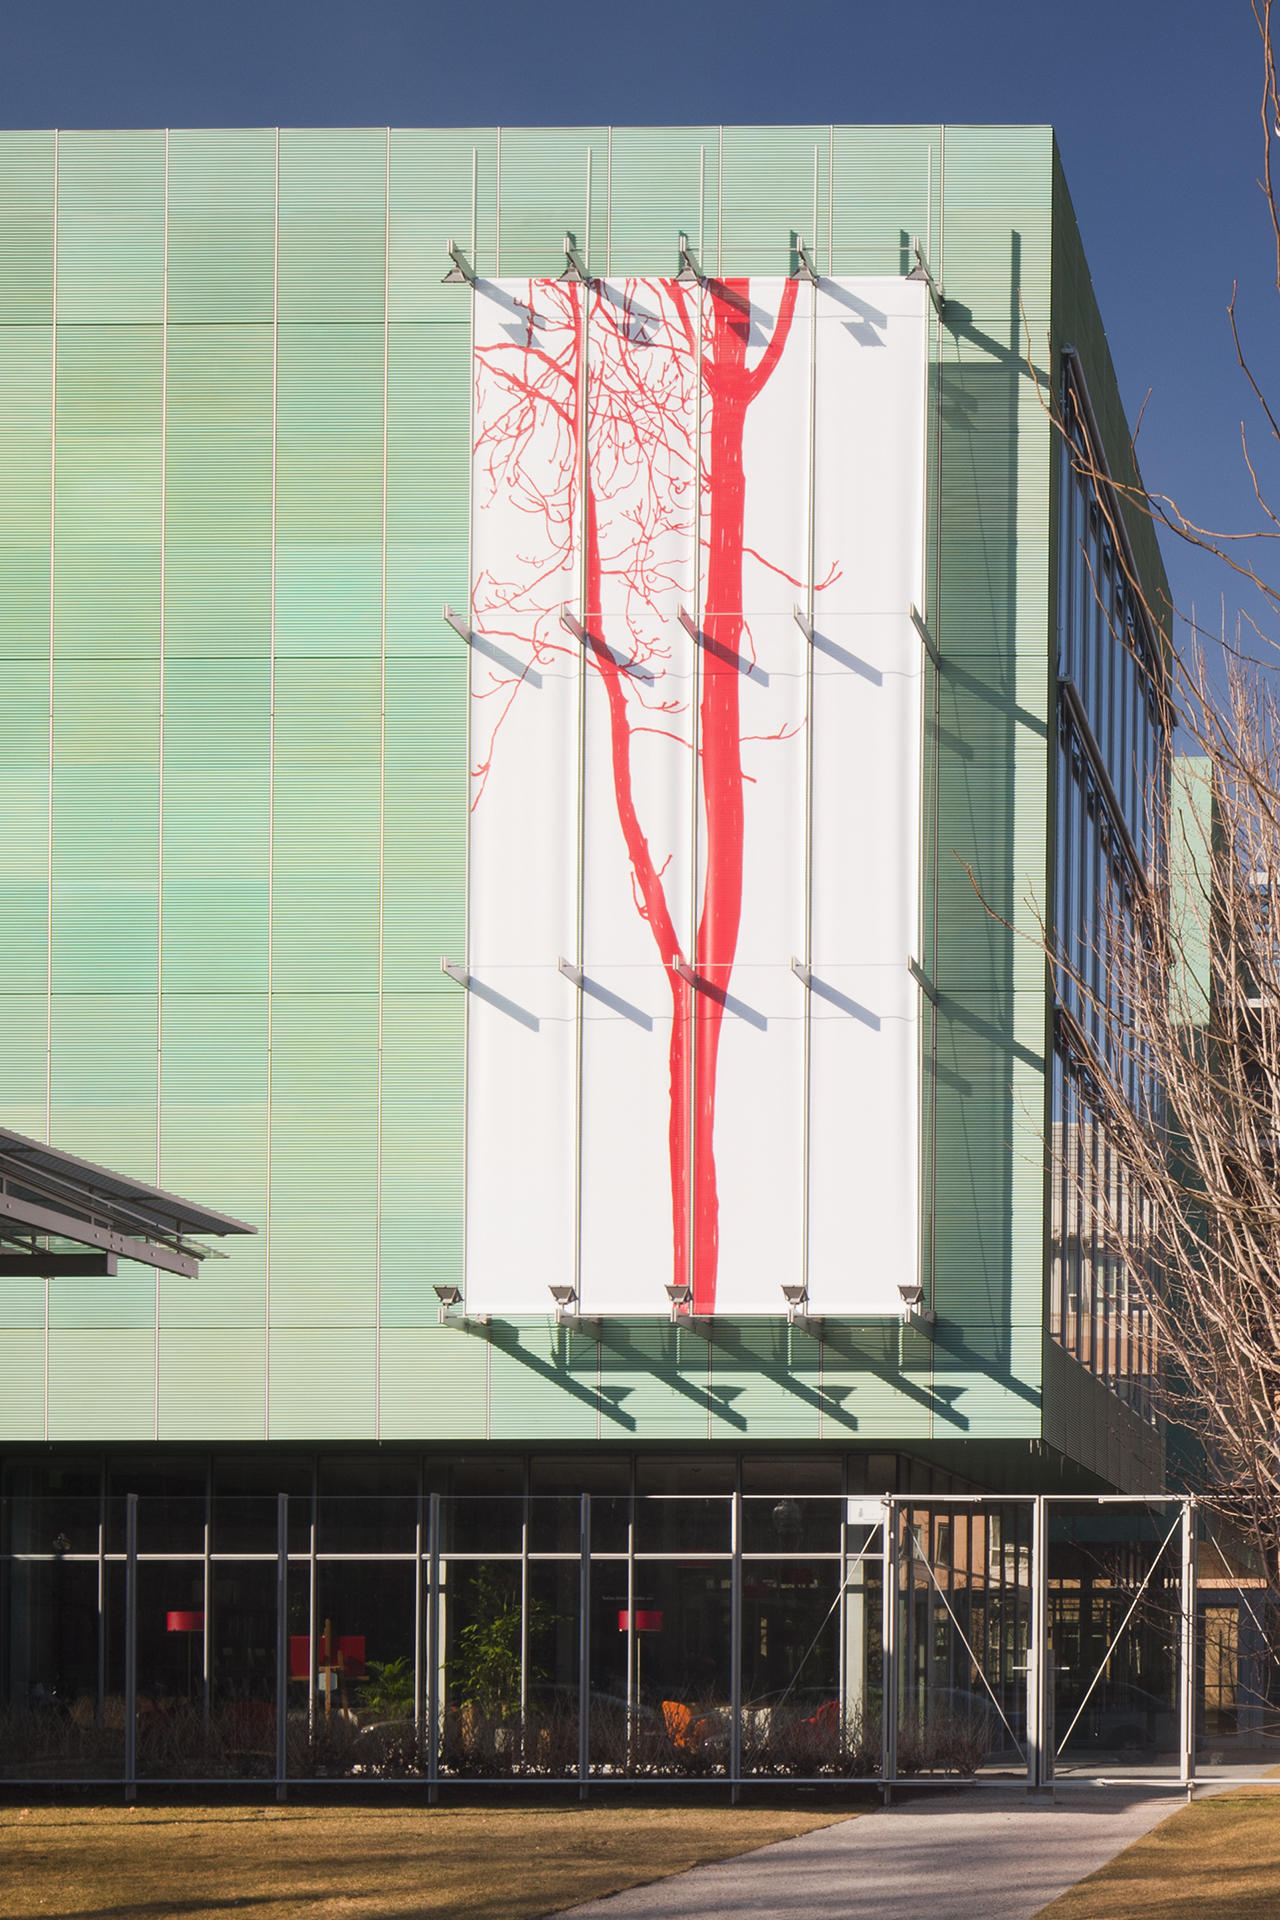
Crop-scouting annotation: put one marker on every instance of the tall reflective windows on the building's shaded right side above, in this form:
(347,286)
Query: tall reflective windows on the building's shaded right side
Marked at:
(1110,861)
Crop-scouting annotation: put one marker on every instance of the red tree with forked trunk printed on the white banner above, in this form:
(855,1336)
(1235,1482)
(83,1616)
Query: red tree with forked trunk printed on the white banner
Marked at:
(613,423)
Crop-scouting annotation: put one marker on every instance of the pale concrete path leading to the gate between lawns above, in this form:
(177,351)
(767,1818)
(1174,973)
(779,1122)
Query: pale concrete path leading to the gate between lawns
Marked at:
(970,1856)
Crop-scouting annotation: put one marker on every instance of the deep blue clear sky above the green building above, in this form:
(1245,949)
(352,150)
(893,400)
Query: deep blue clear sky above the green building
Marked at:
(1156,107)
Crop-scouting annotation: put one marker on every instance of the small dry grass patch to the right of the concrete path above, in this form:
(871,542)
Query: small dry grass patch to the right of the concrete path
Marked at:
(1218,1860)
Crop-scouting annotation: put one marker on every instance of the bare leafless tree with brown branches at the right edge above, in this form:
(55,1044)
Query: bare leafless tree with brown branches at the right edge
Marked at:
(1175,1038)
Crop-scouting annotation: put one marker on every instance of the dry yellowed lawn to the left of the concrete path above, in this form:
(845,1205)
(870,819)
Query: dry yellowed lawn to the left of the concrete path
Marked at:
(369,1863)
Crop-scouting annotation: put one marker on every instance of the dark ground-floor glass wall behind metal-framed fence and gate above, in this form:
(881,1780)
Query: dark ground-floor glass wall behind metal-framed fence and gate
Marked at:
(615,1637)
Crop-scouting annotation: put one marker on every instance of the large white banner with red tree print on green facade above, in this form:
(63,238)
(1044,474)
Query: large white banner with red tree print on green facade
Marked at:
(675,794)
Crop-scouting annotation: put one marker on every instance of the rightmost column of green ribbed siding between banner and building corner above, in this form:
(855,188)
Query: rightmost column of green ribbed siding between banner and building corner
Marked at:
(993,621)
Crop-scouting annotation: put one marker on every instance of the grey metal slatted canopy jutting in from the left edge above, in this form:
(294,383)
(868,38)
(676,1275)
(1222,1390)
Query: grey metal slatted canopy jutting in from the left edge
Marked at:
(53,1207)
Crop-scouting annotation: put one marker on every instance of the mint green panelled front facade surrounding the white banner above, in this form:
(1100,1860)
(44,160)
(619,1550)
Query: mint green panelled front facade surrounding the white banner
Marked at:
(235,406)
